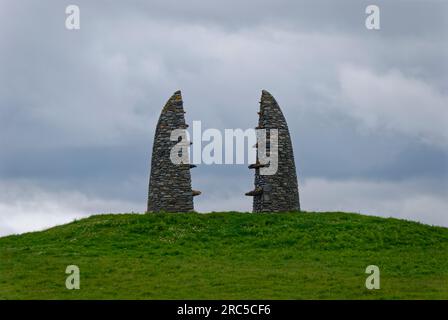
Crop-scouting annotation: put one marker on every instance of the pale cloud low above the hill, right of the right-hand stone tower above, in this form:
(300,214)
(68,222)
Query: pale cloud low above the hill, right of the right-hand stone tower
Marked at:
(405,200)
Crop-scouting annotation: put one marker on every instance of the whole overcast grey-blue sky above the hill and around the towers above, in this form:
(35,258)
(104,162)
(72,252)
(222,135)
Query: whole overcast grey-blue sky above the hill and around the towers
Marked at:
(367,109)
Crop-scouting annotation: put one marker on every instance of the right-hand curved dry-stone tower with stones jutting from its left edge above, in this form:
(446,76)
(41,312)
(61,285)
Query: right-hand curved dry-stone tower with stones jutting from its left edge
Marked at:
(278,192)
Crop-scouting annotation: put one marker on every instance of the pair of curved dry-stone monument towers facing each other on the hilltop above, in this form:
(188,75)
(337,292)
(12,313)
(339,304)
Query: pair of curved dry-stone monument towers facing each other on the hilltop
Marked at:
(170,183)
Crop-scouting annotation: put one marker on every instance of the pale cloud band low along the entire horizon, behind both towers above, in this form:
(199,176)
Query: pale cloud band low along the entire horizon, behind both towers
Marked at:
(404,200)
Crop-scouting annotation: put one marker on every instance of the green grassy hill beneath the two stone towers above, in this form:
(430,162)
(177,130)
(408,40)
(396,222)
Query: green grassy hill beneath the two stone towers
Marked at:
(228,256)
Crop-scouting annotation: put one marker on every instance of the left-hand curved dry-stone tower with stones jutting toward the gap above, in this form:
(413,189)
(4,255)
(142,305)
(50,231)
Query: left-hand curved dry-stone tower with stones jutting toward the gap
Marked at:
(169,183)
